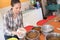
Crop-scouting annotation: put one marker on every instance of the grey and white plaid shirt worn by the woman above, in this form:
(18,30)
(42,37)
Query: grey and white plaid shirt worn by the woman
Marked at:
(11,24)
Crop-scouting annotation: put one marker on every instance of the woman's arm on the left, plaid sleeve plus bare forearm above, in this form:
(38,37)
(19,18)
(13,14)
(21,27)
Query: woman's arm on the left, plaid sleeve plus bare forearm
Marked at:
(6,30)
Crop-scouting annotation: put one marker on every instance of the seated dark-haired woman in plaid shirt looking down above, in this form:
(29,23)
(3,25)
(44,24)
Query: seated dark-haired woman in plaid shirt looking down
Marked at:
(13,20)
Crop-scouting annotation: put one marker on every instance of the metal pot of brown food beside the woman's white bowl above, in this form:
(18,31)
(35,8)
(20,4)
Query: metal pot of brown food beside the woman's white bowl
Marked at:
(33,35)
